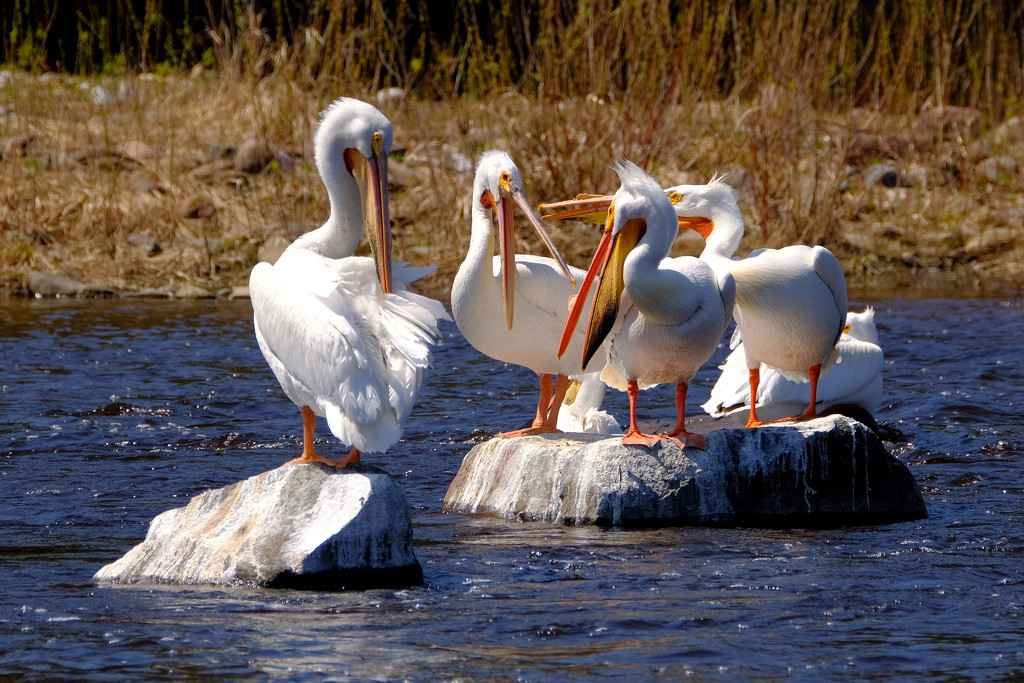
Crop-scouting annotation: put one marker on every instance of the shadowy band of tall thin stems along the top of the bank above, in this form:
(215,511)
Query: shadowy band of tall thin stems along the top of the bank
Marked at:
(893,57)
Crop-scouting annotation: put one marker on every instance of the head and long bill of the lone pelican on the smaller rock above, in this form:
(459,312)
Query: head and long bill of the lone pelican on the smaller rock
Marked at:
(353,143)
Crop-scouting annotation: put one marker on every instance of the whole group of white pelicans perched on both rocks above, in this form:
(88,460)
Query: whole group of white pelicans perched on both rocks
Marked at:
(350,343)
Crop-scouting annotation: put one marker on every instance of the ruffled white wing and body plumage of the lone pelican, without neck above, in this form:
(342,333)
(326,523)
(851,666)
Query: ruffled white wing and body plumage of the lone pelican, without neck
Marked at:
(337,344)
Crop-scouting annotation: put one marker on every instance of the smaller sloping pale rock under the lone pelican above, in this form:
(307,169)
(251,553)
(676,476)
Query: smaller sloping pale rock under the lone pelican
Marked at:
(309,527)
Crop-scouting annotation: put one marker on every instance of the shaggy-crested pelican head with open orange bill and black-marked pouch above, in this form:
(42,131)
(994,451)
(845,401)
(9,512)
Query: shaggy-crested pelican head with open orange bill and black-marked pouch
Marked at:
(638,211)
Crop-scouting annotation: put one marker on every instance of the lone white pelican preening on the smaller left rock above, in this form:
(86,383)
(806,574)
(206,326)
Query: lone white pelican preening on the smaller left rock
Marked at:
(345,337)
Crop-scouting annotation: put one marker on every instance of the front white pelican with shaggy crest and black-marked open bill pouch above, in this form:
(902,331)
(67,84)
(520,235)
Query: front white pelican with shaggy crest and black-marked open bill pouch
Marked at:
(663,317)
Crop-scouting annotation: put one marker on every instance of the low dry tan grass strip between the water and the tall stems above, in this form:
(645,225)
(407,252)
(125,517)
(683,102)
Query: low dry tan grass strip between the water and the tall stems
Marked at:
(69,207)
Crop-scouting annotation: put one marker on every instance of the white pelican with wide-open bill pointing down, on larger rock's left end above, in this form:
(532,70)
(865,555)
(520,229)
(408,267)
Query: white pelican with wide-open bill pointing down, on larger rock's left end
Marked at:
(533,291)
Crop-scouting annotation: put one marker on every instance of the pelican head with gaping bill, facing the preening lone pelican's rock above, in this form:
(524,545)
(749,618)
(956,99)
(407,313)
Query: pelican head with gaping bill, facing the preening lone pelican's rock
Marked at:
(498,187)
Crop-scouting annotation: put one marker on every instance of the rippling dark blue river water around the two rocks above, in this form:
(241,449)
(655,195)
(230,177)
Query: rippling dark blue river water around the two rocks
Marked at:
(114,412)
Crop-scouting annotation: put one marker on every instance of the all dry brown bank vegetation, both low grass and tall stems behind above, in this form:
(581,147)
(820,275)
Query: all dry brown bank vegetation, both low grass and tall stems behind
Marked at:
(834,125)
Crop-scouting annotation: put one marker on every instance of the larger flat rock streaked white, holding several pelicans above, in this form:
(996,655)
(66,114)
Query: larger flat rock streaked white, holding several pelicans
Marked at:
(827,473)
